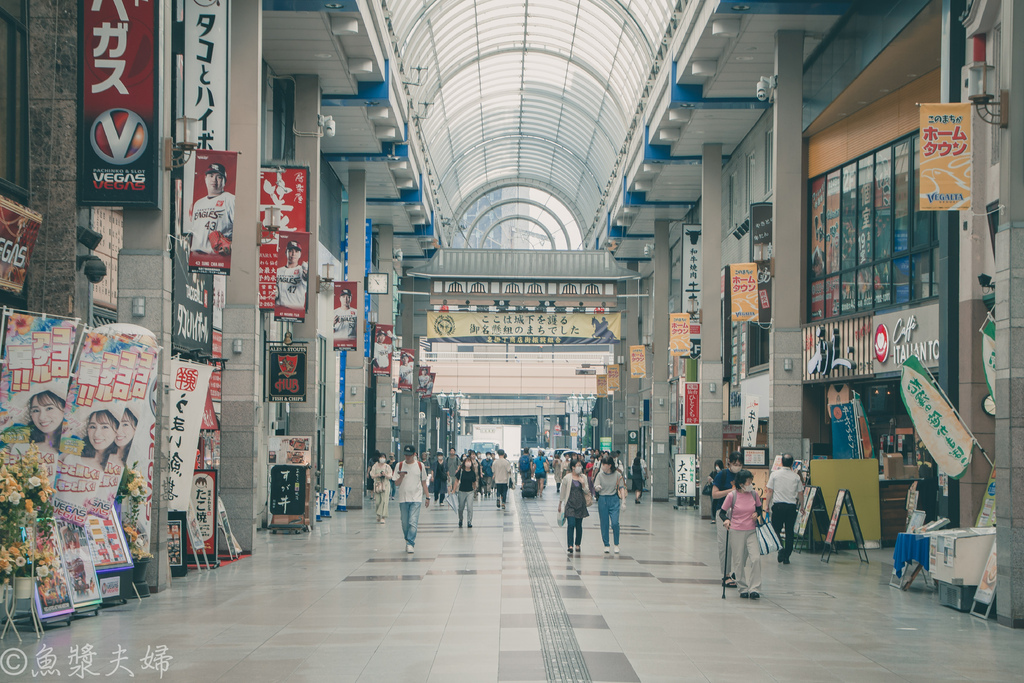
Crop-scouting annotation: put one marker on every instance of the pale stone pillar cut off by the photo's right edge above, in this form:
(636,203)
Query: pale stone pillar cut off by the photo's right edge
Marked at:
(1010,334)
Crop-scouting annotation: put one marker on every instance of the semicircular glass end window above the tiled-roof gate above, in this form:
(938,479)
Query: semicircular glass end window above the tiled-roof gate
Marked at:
(519,218)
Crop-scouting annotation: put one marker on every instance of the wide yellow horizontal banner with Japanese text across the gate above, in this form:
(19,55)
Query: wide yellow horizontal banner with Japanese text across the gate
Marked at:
(471,328)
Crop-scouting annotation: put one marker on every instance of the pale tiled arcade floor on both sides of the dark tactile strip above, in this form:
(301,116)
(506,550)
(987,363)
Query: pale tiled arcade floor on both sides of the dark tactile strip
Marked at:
(346,604)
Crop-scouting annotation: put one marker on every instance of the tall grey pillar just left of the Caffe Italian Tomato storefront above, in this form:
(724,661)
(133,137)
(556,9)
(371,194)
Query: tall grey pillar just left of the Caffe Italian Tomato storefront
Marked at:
(786,392)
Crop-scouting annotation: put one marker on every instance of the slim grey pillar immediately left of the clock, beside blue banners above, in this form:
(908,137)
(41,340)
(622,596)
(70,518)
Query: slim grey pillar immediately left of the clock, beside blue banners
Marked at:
(355,453)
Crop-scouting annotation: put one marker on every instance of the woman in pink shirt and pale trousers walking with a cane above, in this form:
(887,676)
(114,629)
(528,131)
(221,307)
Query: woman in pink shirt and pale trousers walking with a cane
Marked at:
(740,515)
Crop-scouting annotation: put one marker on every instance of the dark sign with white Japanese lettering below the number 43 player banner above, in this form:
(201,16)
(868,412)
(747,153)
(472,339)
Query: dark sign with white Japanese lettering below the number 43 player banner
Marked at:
(192,308)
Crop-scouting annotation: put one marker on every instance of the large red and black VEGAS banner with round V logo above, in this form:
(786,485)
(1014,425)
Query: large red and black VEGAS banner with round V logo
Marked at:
(119,51)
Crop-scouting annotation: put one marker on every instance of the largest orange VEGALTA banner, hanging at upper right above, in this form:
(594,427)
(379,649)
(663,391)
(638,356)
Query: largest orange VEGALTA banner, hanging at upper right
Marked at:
(945,175)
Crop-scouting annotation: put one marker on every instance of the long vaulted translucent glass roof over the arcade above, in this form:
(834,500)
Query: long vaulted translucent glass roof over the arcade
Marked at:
(540,93)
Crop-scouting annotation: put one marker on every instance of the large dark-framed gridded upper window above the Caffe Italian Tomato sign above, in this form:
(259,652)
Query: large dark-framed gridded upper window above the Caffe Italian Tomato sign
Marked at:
(863,217)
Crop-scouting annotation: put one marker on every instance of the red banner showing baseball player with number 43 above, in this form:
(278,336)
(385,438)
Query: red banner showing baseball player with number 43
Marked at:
(210,222)
